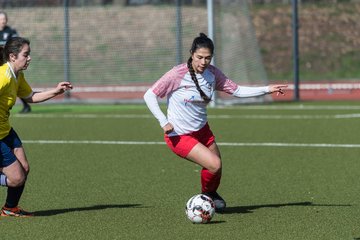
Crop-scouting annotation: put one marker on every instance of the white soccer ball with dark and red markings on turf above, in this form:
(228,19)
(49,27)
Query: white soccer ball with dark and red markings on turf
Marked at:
(200,209)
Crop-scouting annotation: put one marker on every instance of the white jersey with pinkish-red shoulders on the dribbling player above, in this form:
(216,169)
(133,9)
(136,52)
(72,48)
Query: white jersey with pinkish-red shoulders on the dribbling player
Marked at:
(186,110)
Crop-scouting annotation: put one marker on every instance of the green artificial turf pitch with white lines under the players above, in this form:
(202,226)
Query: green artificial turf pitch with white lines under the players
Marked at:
(290,171)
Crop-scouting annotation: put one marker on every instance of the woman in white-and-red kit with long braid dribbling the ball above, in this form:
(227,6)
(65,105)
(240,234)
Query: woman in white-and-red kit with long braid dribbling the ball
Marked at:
(189,88)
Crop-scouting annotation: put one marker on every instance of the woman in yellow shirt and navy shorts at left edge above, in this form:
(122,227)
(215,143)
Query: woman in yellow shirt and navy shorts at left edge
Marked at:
(14,166)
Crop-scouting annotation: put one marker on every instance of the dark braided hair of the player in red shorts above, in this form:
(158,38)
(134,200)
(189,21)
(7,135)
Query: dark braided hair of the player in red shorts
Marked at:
(202,41)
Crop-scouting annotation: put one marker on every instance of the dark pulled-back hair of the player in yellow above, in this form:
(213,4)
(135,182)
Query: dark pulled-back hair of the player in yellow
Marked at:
(12,46)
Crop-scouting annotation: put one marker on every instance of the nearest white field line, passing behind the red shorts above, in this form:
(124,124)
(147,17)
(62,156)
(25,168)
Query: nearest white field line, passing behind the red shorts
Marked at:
(313,145)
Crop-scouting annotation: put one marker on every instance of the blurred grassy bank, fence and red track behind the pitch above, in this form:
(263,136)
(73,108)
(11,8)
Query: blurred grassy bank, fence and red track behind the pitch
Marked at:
(113,50)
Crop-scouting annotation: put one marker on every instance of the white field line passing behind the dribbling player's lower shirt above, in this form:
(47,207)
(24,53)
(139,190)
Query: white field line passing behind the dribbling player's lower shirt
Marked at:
(140,116)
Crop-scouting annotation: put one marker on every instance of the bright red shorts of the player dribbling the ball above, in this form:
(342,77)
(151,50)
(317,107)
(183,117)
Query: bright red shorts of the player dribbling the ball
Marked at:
(182,144)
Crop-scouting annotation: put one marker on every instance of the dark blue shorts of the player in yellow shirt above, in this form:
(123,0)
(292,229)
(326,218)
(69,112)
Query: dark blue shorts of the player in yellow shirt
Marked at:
(7,145)
